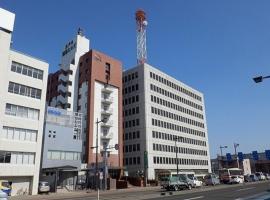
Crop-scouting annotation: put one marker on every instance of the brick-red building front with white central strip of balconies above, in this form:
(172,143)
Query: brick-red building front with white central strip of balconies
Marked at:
(100,100)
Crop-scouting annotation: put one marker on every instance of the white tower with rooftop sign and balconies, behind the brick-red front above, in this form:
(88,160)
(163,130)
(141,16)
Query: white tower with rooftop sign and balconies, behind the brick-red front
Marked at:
(67,78)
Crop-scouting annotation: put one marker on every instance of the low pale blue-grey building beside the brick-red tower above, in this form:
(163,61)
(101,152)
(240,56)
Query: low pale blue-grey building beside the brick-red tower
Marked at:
(62,147)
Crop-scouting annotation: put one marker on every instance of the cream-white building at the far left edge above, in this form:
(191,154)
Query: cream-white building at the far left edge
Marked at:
(23,83)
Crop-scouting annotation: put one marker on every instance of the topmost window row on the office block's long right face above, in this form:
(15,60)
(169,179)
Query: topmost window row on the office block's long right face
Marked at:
(174,86)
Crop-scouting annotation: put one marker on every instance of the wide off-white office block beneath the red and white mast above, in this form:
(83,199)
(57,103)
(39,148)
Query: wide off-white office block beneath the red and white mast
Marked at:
(163,116)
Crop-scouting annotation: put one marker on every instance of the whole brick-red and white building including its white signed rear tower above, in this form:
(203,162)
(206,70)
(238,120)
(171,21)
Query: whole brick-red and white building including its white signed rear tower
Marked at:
(89,82)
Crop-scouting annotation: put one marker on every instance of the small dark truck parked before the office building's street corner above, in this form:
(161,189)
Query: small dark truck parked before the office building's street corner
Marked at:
(175,183)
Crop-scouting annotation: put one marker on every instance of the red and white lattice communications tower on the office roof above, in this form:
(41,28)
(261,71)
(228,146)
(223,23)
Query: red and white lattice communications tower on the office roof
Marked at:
(141,36)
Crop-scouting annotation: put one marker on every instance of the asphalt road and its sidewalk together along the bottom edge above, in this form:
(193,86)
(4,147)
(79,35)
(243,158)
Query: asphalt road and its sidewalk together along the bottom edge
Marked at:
(249,191)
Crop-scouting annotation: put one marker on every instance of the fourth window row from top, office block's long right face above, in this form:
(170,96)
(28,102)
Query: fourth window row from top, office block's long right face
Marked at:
(176,117)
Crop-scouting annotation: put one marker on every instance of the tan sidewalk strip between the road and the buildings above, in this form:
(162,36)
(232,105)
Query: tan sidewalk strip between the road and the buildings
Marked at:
(82,193)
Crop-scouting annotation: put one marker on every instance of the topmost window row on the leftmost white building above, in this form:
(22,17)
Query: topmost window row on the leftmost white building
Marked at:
(26,70)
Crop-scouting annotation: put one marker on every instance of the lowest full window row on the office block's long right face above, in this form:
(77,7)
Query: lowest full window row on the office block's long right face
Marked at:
(181,161)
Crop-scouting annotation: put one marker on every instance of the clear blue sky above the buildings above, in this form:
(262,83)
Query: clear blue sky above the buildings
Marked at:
(214,46)
